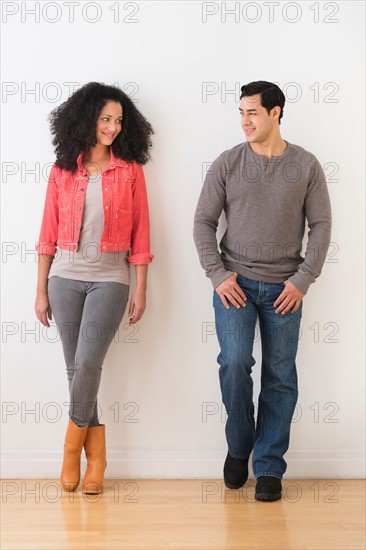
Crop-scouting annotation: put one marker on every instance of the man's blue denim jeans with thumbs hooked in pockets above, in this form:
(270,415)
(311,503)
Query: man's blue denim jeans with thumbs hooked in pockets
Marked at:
(235,328)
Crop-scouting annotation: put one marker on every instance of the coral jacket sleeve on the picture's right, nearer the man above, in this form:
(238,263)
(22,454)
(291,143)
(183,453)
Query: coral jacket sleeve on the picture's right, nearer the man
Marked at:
(140,235)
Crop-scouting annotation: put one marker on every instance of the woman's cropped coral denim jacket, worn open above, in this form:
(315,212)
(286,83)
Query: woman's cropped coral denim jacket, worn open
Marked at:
(125,207)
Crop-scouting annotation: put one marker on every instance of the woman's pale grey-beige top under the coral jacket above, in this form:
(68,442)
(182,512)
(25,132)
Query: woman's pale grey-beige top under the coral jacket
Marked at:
(89,263)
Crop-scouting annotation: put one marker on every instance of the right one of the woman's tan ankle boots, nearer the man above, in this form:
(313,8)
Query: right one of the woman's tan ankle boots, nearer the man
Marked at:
(95,451)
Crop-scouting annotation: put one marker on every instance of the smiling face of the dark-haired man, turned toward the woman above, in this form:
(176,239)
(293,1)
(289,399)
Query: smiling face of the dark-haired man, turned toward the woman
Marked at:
(255,121)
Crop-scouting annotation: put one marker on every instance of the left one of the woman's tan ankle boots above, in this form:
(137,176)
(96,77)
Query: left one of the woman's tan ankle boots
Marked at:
(74,441)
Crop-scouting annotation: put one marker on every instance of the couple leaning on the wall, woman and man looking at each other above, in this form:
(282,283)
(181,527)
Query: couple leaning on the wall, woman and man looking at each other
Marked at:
(96,213)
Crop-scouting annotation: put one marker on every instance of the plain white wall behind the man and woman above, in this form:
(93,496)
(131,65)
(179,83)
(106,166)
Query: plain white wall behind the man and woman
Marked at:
(180,60)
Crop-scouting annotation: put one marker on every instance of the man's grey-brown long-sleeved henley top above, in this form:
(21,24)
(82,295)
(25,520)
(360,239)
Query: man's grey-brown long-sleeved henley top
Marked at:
(266,203)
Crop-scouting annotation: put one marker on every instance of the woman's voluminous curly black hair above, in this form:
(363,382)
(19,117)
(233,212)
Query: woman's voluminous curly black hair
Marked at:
(73,125)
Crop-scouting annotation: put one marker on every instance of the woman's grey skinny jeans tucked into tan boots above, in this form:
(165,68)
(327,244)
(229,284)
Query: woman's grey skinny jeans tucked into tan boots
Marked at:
(87,315)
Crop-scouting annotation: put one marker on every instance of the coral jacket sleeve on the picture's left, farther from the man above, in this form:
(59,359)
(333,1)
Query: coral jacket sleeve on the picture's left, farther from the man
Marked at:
(49,228)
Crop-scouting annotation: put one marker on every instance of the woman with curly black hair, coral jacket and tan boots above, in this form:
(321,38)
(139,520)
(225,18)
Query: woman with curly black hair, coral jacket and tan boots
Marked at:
(96,213)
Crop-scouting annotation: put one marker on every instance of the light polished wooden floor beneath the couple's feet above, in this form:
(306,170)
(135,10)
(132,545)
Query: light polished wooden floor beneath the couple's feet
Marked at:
(182,514)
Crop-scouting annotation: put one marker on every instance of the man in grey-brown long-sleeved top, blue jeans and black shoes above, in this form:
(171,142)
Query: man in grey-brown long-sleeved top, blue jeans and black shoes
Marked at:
(266,187)
